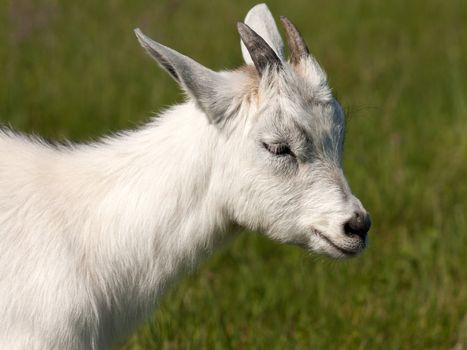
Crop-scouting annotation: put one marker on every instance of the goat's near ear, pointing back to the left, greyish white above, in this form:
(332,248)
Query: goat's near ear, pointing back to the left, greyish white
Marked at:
(201,83)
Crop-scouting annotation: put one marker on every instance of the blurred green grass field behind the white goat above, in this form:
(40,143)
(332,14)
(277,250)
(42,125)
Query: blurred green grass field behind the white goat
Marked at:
(74,70)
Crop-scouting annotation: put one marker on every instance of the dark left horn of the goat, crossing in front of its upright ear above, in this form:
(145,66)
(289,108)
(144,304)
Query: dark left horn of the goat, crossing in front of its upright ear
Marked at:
(261,53)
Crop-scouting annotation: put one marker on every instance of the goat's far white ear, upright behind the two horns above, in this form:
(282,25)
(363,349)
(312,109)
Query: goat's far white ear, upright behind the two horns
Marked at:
(260,19)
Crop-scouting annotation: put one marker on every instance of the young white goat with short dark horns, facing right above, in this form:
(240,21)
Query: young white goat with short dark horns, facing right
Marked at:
(91,235)
